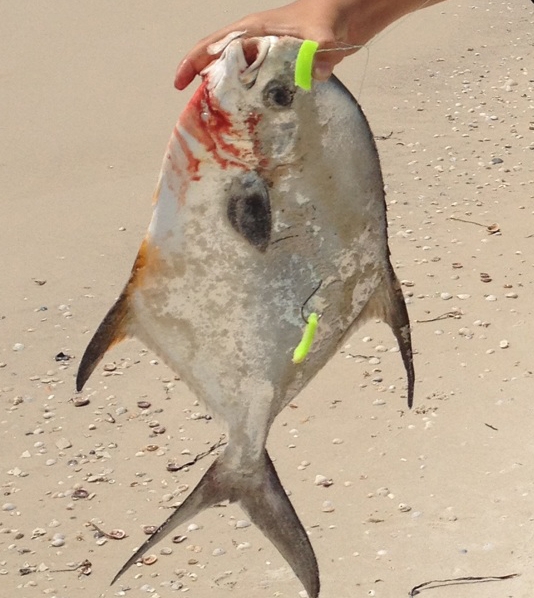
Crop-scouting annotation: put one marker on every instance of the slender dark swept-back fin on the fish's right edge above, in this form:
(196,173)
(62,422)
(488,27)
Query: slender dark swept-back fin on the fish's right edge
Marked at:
(387,303)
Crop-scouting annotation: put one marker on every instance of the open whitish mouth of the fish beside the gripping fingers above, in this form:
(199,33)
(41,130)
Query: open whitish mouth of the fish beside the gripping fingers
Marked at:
(242,58)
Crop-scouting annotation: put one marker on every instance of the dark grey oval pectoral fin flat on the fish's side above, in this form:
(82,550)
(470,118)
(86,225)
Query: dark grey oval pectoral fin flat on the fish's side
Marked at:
(249,209)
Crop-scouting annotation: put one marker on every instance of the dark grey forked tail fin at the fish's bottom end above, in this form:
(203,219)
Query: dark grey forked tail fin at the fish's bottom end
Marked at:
(262,497)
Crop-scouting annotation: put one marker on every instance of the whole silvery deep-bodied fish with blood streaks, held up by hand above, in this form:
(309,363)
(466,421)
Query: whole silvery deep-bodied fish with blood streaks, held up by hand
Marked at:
(269,214)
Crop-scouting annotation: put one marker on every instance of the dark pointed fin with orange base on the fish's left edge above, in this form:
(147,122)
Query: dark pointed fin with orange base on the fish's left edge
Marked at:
(111,331)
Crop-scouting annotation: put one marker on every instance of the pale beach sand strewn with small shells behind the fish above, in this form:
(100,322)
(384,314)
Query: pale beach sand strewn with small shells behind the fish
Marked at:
(443,491)
